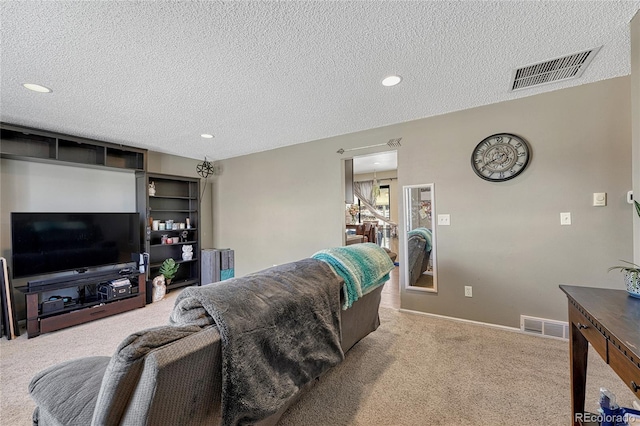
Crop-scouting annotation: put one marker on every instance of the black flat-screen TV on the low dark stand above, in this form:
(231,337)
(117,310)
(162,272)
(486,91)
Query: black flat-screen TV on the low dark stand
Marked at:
(44,243)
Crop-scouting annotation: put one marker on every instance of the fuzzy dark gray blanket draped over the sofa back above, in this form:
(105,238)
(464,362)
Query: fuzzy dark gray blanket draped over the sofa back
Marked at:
(280,329)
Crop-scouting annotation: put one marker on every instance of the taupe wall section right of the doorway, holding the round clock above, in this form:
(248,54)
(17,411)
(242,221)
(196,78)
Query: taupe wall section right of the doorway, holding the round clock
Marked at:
(505,239)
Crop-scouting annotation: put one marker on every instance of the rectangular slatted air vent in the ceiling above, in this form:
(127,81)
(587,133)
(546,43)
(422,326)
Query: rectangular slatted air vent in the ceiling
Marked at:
(565,68)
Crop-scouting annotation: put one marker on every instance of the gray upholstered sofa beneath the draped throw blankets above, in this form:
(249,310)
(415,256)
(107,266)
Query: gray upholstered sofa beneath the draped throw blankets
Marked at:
(168,375)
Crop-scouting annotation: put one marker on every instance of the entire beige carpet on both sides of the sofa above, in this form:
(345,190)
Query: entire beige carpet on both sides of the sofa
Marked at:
(414,370)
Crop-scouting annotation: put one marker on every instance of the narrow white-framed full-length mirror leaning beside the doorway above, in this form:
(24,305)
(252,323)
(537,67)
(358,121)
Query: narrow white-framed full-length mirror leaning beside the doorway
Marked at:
(420,239)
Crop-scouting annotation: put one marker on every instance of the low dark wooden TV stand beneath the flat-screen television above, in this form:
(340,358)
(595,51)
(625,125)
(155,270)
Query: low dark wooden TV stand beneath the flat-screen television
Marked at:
(85,309)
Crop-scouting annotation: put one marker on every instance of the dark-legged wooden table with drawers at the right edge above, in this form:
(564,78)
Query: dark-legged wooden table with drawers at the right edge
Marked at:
(610,321)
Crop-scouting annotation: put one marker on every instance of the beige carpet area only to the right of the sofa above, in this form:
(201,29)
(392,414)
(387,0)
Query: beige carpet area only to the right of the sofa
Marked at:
(419,370)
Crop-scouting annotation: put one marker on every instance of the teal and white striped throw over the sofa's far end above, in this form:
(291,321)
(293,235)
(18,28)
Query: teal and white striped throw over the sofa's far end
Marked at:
(363,267)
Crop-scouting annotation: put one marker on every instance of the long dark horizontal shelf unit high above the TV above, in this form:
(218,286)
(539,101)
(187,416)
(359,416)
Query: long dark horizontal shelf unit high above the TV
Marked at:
(22,143)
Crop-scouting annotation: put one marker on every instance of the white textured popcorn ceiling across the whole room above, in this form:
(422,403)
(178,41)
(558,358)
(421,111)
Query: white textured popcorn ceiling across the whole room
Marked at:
(261,75)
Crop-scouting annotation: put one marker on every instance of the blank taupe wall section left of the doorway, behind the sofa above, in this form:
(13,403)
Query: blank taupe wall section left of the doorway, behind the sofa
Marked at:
(280,205)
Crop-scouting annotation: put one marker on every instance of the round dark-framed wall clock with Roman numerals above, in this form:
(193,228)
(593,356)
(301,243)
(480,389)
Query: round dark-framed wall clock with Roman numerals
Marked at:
(500,157)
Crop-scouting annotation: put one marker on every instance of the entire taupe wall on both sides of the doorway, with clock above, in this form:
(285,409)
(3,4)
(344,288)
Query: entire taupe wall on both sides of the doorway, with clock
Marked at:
(505,239)
